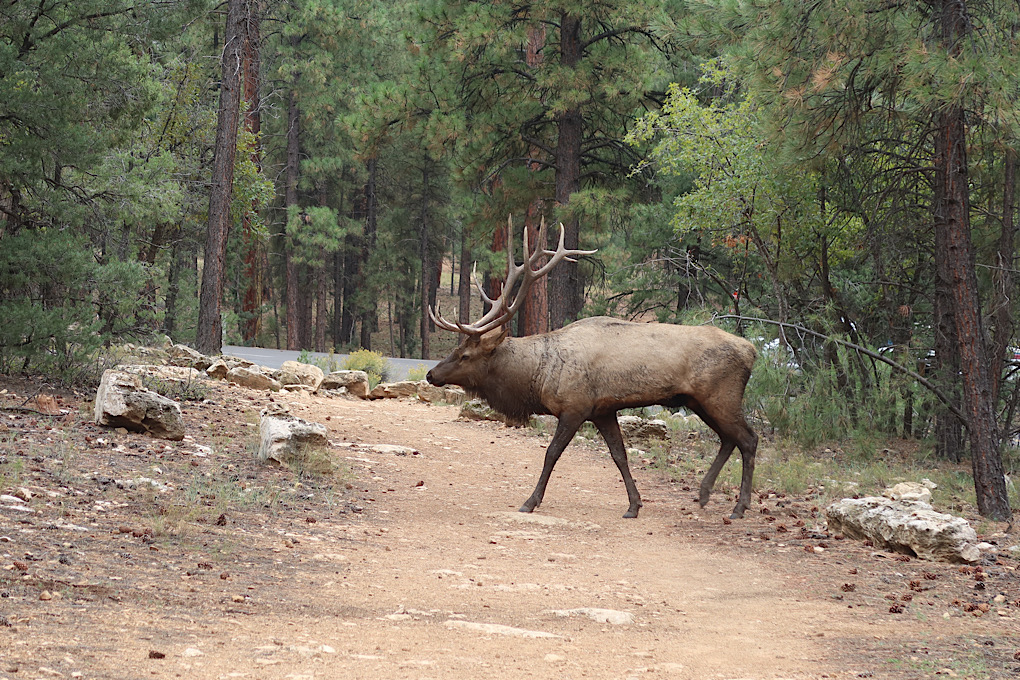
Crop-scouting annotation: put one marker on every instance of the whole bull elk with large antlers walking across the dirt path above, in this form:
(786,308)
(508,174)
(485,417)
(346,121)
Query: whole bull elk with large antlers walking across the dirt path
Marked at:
(592,369)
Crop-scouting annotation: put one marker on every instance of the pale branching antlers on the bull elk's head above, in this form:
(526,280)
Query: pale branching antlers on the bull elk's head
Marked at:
(501,311)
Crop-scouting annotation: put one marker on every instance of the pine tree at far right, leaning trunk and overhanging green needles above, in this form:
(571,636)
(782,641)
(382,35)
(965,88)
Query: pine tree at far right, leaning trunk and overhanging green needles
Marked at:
(852,81)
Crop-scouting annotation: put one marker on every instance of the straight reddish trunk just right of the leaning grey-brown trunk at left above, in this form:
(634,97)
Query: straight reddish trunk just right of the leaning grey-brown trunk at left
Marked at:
(252,301)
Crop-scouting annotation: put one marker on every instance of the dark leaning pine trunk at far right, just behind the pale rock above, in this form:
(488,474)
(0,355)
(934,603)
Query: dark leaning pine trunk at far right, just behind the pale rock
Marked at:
(952,202)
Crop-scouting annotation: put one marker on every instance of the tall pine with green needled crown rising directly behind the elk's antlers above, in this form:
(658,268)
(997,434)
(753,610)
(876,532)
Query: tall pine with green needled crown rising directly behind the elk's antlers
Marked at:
(568,113)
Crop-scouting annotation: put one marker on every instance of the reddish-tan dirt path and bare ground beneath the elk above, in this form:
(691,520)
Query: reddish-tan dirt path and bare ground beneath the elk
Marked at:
(426,569)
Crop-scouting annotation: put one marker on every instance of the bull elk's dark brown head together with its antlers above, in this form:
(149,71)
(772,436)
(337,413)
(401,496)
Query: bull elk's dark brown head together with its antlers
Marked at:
(468,365)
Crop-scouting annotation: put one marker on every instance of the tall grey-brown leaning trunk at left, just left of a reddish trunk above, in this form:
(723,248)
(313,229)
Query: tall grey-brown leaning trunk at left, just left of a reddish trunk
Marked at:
(210,334)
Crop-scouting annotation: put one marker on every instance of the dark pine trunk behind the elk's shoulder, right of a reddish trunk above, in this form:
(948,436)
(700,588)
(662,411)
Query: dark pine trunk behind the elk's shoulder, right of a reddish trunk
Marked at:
(567,291)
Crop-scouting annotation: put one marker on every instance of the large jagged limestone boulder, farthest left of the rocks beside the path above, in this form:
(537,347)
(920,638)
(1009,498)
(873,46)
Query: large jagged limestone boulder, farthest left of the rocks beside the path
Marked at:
(123,402)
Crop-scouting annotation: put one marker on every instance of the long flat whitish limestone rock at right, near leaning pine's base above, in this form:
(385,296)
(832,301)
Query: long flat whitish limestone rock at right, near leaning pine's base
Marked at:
(905,527)
